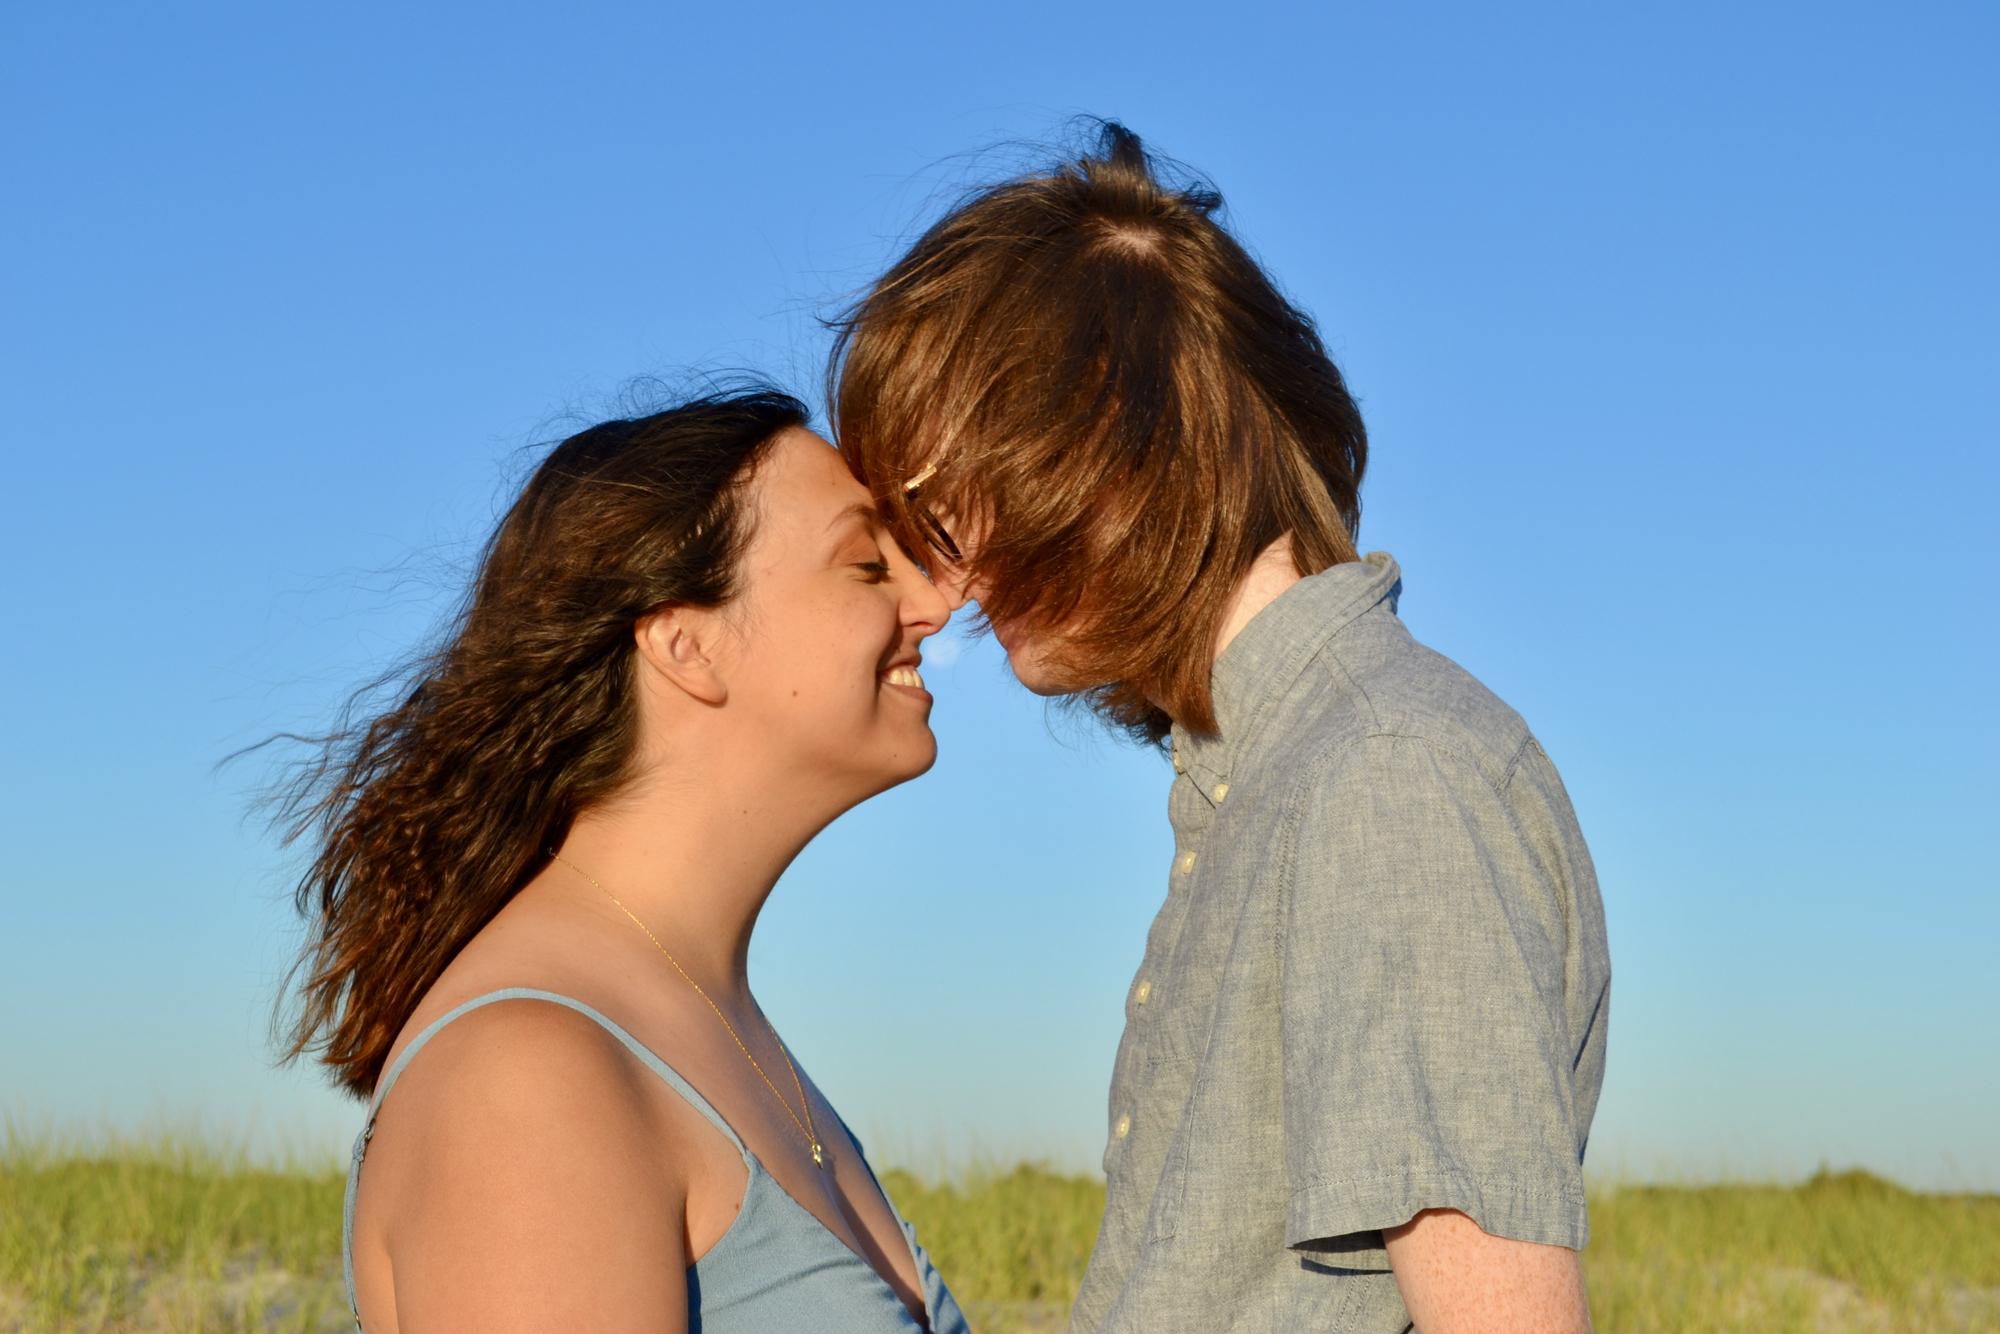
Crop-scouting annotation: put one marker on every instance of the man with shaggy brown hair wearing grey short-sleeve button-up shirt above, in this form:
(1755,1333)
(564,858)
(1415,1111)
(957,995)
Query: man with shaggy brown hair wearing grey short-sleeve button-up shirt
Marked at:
(1367,1039)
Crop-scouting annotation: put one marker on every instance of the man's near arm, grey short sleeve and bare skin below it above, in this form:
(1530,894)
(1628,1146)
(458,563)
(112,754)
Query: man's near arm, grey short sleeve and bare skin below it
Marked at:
(1429,1063)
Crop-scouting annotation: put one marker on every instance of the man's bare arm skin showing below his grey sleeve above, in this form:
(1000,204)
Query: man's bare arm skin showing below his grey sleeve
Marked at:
(1455,1277)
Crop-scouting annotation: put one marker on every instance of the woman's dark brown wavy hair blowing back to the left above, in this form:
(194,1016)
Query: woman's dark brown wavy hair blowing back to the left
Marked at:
(429,819)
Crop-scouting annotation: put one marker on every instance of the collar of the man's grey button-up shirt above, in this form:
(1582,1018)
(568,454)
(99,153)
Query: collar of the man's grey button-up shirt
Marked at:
(1269,655)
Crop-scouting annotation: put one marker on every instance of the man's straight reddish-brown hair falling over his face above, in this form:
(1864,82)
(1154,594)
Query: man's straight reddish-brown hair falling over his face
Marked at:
(1119,395)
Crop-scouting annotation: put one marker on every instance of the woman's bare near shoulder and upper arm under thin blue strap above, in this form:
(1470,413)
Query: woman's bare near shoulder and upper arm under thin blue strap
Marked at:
(519,1173)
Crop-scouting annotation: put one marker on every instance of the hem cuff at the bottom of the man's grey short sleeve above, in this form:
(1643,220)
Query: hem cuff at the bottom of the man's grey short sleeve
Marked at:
(1347,1217)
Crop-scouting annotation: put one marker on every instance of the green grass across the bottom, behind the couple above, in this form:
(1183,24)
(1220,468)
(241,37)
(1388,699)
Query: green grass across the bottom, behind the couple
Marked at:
(169,1235)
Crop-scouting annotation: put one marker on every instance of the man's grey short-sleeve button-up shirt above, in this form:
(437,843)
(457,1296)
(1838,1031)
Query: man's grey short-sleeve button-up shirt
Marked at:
(1379,985)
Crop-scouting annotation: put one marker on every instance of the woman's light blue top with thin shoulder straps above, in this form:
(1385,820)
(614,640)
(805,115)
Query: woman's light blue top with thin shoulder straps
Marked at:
(775,1269)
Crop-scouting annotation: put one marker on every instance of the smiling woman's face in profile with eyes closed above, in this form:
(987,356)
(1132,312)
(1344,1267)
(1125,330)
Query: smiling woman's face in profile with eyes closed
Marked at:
(829,625)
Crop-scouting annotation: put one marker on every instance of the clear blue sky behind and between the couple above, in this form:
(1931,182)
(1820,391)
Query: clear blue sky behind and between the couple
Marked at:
(1677,341)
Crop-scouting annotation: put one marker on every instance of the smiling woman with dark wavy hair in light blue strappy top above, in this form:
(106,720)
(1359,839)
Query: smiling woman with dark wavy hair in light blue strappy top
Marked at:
(689,647)
